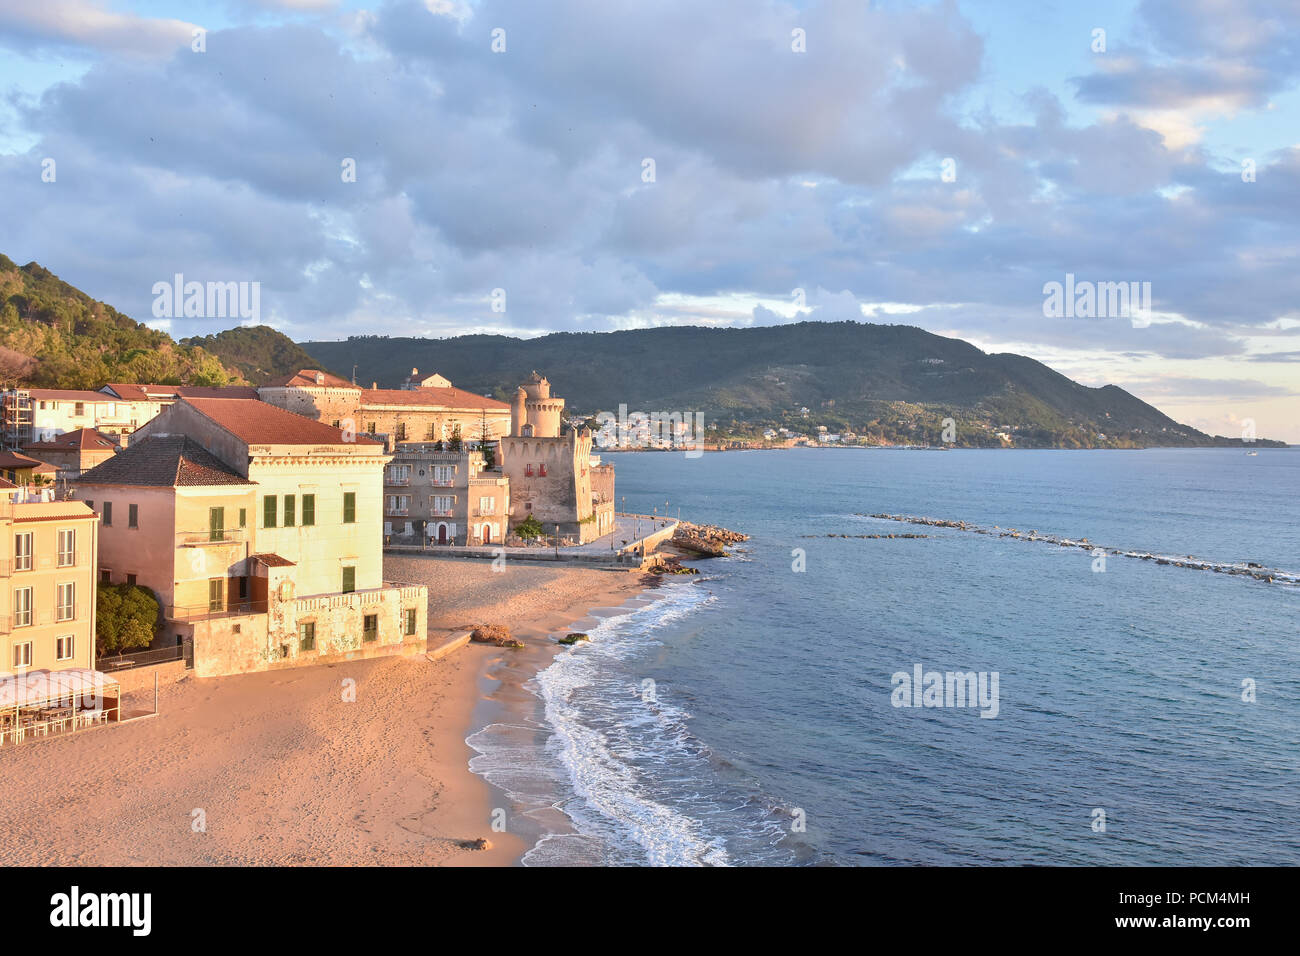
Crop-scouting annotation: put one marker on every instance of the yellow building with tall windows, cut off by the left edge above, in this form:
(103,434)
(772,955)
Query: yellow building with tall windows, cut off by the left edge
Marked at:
(47,565)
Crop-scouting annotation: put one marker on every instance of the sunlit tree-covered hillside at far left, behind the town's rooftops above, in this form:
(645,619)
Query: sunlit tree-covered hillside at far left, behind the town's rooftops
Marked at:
(57,336)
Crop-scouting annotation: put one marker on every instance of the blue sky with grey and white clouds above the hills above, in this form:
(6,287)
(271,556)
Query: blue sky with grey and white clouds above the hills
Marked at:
(444,167)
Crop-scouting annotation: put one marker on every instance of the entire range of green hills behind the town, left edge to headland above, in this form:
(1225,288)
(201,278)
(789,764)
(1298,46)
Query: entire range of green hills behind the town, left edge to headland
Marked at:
(883,383)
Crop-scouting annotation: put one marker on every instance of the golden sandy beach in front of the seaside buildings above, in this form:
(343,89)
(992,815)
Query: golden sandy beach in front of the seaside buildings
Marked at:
(280,768)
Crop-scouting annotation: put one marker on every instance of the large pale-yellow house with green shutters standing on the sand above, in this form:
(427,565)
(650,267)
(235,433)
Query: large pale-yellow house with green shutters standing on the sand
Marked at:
(261,533)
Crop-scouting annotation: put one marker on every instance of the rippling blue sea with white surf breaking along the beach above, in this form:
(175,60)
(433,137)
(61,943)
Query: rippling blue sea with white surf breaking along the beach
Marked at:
(756,713)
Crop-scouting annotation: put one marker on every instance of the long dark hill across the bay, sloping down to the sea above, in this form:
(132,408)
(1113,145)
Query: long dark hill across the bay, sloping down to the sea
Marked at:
(886,383)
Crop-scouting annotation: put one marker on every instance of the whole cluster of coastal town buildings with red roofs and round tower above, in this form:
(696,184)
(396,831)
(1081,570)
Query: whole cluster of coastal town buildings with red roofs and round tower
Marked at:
(159,533)
